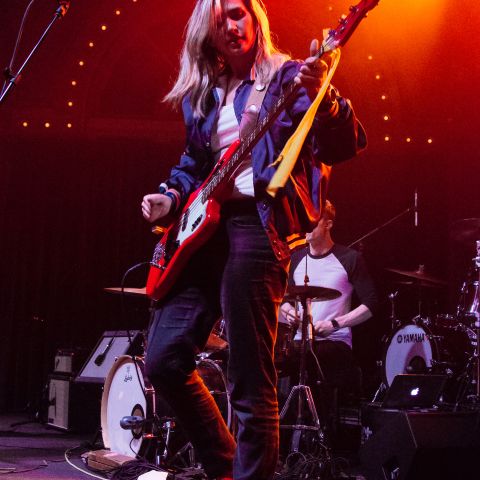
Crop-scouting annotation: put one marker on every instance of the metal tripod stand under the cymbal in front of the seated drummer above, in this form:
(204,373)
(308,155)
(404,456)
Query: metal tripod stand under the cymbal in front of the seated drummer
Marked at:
(302,390)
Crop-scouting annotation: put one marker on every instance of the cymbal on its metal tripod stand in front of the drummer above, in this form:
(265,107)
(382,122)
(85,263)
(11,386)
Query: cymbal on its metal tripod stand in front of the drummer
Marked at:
(303,295)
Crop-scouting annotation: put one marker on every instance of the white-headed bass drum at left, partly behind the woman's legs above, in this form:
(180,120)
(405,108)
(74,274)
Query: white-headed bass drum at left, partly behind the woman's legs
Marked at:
(127,392)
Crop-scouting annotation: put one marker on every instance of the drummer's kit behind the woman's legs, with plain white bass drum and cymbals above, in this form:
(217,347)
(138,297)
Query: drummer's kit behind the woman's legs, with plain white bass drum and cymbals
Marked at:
(137,422)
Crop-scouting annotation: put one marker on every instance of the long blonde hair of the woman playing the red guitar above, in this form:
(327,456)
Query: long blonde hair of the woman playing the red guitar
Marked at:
(201,63)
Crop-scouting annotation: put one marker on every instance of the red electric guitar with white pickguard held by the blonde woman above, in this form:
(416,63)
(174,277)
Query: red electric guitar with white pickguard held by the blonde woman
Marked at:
(200,216)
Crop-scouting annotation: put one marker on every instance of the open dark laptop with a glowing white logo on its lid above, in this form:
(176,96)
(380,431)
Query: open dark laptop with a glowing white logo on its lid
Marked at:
(414,391)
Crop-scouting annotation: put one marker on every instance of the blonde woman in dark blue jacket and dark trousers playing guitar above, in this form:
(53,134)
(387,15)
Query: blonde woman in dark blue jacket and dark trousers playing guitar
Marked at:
(241,271)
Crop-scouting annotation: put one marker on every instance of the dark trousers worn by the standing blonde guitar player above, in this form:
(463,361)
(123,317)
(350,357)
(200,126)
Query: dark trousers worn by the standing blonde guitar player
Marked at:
(235,274)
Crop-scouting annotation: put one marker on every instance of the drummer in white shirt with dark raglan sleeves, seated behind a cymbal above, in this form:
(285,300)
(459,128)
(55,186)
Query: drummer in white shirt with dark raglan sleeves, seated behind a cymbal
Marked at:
(327,264)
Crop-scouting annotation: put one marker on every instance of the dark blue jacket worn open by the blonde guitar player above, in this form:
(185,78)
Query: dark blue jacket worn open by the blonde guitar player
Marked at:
(296,208)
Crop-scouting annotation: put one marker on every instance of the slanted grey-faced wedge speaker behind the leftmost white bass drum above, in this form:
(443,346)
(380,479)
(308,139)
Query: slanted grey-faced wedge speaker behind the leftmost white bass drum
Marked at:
(111,345)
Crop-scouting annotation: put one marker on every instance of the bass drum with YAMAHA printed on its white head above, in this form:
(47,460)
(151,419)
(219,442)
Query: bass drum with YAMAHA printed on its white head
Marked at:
(415,348)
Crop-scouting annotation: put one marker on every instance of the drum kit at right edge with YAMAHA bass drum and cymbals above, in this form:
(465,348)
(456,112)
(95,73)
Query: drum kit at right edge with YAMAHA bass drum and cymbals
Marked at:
(443,343)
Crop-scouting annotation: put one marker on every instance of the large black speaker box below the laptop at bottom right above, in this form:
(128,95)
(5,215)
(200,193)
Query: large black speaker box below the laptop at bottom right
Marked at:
(414,445)
